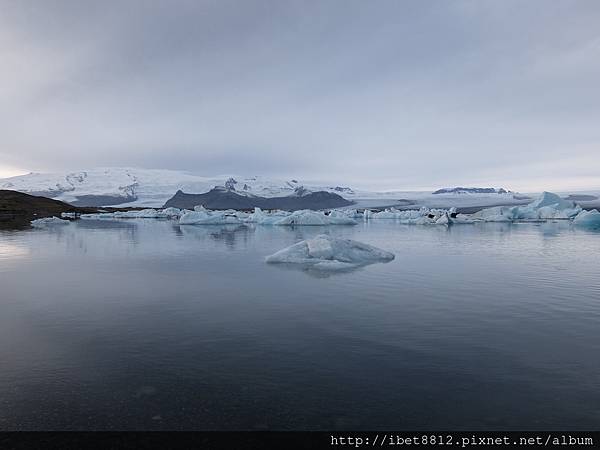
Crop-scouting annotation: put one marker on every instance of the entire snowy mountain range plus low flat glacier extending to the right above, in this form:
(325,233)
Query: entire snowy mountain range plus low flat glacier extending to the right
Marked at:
(152,188)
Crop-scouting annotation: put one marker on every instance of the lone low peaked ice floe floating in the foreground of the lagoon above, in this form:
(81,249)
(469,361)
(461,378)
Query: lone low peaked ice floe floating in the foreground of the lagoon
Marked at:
(328,253)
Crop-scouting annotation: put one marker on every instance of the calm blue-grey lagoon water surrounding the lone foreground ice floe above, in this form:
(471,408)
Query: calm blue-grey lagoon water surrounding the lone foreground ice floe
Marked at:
(142,324)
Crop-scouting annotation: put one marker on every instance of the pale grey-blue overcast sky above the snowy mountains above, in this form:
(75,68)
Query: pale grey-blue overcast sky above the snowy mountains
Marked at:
(378,94)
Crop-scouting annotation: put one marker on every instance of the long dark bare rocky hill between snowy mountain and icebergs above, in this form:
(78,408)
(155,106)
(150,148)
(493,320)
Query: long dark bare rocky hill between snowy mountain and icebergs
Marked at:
(220,198)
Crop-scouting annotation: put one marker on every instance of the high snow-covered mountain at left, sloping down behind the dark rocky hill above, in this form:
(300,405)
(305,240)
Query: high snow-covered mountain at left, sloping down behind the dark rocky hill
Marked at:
(150,187)
